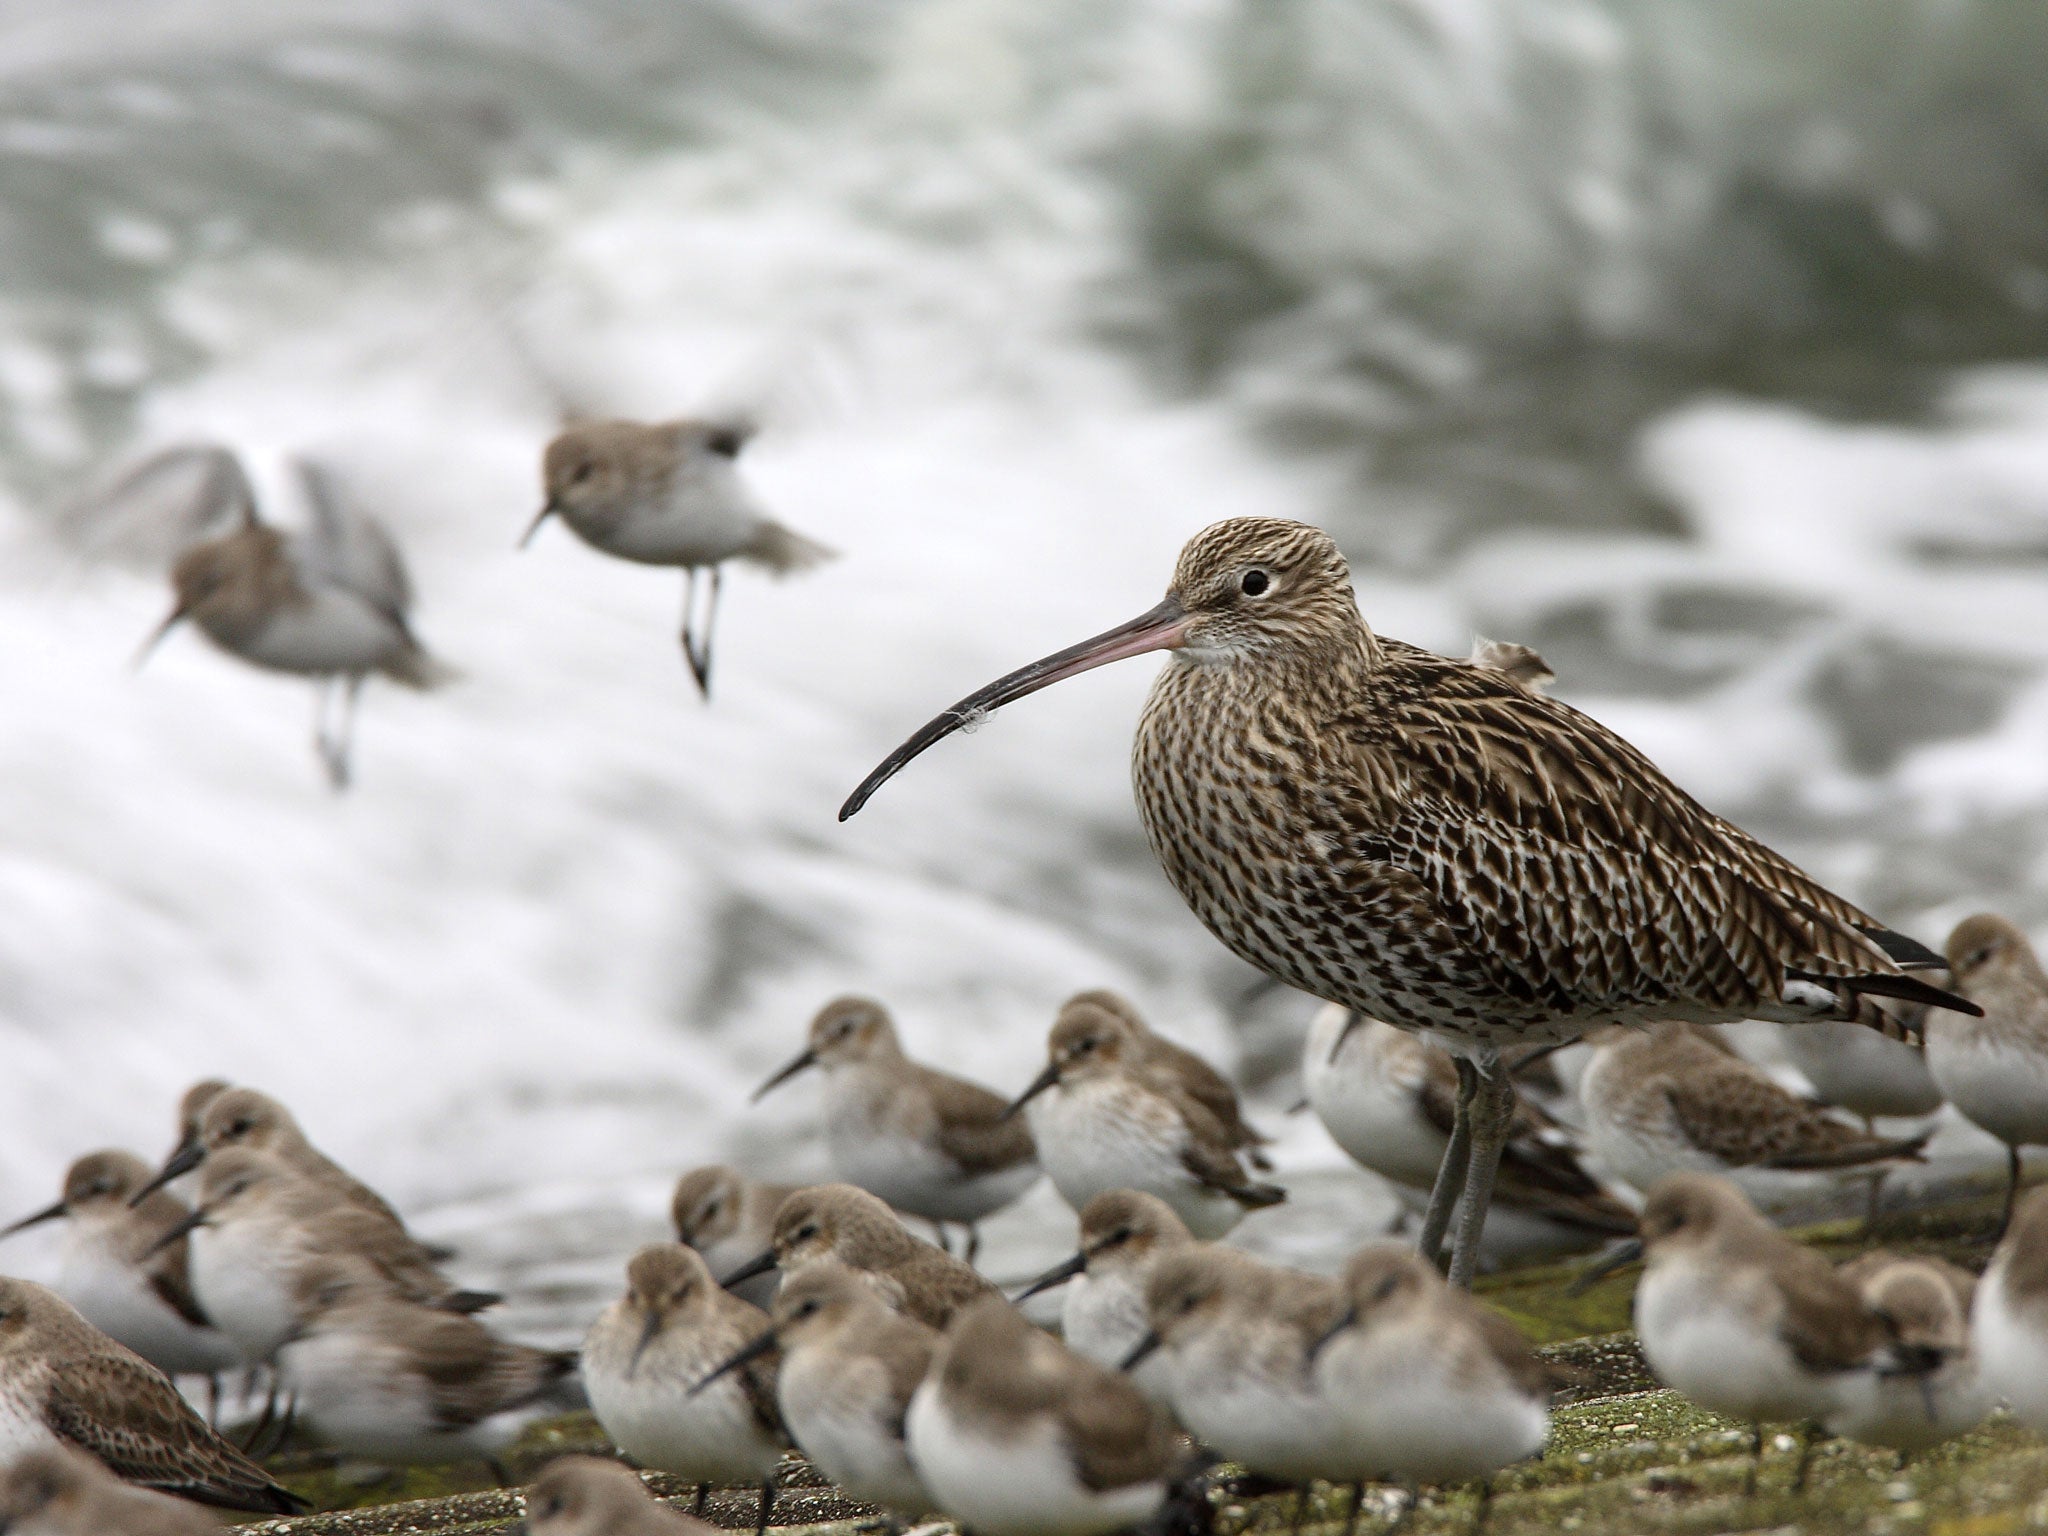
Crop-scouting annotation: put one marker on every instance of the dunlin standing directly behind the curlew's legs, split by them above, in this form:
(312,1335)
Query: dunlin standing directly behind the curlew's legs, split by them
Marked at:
(1390,1099)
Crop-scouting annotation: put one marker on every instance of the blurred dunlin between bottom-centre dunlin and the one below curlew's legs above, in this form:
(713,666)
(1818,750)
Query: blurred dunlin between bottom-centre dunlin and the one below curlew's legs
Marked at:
(1238,1340)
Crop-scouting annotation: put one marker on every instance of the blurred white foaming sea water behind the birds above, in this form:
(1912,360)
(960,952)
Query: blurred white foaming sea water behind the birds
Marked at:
(1695,343)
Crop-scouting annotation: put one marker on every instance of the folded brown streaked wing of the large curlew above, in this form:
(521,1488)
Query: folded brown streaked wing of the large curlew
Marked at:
(1582,878)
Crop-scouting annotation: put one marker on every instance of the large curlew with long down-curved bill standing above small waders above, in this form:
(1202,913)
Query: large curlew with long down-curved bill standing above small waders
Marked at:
(1439,845)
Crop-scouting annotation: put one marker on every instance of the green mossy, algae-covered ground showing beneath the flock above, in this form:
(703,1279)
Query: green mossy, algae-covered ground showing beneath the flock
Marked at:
(1623,1457)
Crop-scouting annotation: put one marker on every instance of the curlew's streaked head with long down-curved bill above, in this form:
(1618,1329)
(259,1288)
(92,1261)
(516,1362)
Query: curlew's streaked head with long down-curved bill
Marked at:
(1244,591)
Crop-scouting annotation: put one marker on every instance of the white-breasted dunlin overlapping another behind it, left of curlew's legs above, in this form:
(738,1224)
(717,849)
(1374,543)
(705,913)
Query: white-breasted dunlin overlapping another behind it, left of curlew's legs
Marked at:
(1105,1123)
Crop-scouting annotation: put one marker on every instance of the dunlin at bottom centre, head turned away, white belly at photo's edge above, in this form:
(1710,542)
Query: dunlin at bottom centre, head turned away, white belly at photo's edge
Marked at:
(1019,1437)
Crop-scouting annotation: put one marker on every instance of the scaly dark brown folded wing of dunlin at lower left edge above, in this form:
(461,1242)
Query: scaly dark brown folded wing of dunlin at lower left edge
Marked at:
(132,1418)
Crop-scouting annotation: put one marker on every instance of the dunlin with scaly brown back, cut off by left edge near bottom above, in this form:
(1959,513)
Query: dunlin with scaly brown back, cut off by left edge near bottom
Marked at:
(62,1381)
